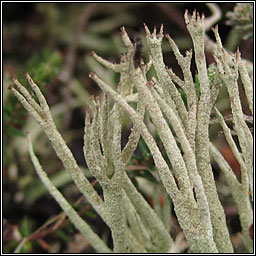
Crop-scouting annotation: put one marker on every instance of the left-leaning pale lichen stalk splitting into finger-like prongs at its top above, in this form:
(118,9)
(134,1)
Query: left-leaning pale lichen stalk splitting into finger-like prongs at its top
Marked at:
(41,113)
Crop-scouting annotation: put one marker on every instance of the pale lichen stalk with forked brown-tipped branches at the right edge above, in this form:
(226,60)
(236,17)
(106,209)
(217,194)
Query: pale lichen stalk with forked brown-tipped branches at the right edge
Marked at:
(230,77)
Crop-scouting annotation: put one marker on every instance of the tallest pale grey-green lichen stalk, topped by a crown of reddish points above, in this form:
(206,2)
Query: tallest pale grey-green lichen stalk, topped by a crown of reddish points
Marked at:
(195,26)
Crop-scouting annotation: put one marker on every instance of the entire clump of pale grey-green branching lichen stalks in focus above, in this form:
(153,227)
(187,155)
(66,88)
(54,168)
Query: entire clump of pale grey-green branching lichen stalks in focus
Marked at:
(183,129)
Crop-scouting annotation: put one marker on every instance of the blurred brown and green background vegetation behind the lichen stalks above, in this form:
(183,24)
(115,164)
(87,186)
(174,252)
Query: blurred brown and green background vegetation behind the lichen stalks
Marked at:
(52,42)
